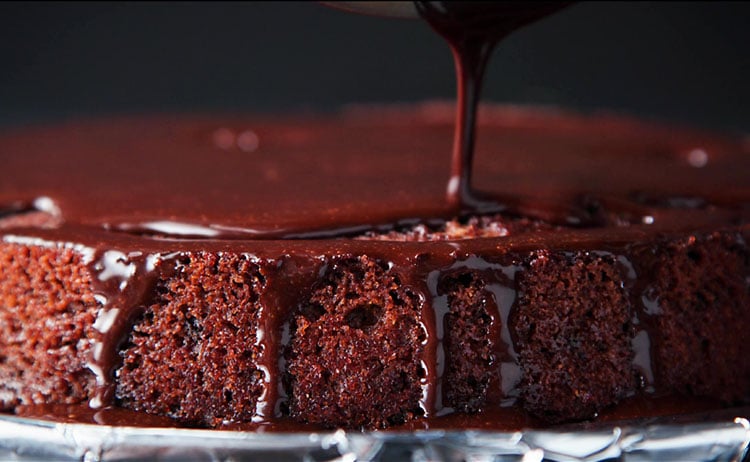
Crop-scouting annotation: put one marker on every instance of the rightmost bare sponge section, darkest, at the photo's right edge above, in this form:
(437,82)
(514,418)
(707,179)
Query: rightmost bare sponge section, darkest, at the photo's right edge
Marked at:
(697,301)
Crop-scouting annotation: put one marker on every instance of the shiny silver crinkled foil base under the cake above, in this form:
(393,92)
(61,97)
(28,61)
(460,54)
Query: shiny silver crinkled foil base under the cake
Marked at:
(28,439)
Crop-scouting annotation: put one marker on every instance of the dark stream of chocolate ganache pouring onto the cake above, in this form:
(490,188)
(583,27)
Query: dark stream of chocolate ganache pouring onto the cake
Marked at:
(472,30)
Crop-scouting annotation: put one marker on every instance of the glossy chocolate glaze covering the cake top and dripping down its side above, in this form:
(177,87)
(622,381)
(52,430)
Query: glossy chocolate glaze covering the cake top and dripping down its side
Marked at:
(151,174)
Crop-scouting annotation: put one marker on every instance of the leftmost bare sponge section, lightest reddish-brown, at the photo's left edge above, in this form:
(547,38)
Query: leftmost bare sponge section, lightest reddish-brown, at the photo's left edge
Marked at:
(47,313)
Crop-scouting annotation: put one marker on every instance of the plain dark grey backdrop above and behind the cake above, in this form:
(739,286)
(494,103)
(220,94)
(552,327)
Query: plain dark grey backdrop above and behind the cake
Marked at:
(683,62)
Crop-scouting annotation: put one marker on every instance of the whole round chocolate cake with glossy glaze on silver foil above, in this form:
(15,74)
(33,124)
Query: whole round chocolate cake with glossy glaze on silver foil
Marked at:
(241,272)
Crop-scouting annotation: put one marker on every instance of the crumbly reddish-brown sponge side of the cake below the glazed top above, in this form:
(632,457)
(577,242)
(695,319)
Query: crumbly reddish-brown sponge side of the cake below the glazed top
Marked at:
(560,333)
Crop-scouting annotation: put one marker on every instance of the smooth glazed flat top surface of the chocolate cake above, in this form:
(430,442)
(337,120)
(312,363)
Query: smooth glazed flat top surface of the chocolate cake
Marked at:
(317,176)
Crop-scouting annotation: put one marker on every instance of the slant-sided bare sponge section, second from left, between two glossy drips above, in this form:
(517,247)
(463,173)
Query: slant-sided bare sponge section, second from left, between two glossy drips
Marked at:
(192,354)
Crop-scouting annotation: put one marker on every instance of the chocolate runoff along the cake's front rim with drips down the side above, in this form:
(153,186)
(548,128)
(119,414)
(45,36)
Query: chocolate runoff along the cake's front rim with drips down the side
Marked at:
(125,281)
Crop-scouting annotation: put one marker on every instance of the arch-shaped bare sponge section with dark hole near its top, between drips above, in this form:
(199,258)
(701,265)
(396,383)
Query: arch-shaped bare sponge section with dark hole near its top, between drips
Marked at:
(354,357)
